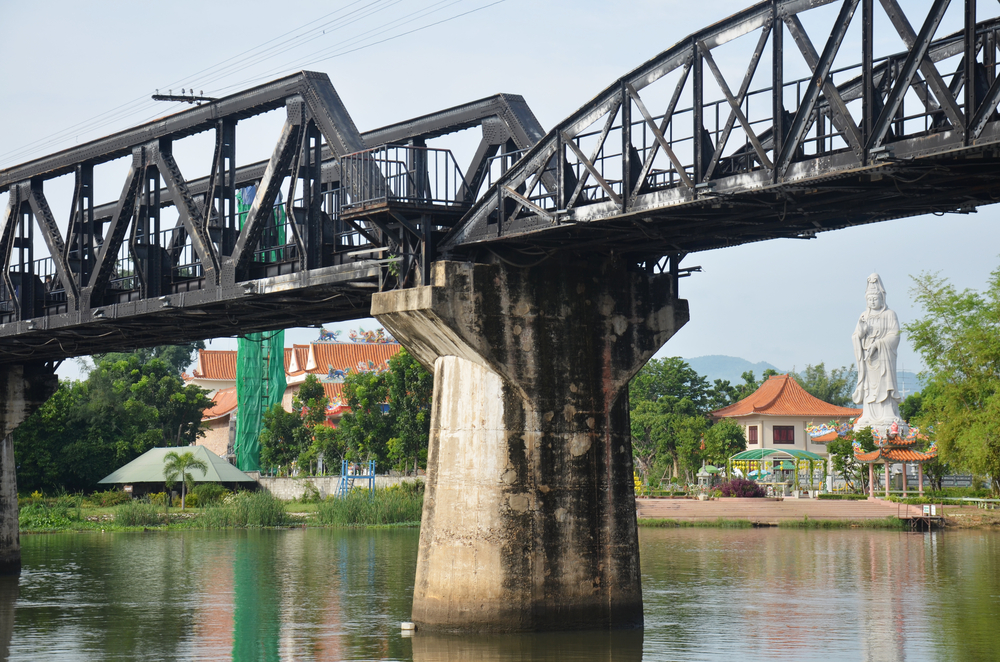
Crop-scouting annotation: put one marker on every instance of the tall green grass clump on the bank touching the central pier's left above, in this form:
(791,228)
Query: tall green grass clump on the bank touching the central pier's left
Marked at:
(398,504)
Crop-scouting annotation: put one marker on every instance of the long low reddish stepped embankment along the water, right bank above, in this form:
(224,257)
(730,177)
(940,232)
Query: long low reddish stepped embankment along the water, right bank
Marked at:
(769,511)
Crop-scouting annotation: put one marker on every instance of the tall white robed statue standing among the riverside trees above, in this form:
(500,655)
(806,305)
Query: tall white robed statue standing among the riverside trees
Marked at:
(875,340)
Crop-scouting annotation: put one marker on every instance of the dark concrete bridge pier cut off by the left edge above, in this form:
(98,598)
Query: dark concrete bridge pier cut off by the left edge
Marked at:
(23,388)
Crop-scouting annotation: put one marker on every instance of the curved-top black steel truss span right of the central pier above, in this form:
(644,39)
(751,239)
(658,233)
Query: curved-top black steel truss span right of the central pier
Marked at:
(861,138)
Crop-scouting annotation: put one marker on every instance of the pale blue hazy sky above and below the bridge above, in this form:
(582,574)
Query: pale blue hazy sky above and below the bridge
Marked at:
(92,68)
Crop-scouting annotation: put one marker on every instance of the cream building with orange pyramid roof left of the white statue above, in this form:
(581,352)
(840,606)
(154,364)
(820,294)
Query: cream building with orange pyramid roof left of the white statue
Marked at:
(777,414)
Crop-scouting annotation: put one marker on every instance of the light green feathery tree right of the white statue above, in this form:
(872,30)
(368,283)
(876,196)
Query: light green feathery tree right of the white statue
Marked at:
(959,339)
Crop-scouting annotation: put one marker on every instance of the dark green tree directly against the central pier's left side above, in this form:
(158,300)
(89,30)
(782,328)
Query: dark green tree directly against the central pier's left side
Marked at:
(410,389)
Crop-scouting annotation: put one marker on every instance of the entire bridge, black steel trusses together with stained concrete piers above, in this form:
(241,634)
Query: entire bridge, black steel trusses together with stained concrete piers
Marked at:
(535,280)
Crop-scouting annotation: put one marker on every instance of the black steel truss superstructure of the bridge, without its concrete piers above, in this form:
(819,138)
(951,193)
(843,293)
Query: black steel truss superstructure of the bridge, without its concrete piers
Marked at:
(790,118)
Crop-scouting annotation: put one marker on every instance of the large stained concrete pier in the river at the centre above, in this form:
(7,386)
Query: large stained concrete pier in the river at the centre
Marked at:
(529,515)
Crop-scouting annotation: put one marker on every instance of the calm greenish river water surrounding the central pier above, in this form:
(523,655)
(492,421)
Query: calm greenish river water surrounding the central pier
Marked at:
(758,594)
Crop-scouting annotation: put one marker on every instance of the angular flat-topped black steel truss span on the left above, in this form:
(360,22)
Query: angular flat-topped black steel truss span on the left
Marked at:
(119,279)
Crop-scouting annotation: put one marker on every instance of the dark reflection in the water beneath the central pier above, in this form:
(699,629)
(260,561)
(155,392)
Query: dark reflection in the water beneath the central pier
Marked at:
(621,646)
